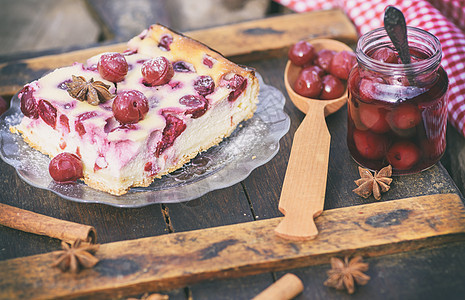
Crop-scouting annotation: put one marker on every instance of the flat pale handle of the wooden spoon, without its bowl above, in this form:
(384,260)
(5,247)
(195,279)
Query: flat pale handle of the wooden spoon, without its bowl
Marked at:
(304,187)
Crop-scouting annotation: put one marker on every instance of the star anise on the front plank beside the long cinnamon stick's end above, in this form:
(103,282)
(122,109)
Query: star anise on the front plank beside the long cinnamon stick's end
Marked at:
(76,256)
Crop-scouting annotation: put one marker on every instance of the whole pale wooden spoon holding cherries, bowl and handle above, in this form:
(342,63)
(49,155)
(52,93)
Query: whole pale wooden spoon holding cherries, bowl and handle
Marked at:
(303,194)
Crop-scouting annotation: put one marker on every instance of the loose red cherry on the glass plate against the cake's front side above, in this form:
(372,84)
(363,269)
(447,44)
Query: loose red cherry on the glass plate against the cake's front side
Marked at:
(65,168)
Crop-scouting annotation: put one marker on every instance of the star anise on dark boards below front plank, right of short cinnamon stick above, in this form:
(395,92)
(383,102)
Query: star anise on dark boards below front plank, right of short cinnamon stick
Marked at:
(344,274)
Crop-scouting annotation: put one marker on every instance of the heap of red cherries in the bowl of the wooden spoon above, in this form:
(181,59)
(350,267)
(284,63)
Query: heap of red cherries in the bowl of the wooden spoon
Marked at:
(323,72)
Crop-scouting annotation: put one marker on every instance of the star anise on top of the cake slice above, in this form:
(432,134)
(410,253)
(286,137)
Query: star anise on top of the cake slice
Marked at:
(94,92)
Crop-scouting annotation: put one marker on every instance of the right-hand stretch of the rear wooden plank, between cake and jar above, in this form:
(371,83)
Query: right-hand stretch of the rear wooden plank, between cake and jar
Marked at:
(275,34)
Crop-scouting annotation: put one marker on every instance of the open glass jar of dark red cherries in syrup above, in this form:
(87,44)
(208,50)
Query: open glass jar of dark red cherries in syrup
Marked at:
(397,113)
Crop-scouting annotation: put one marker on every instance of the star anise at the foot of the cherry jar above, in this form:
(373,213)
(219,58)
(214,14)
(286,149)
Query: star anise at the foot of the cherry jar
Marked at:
(377,184)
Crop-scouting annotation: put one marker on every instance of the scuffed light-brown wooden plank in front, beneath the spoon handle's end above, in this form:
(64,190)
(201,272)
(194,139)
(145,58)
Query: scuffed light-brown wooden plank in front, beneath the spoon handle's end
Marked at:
(158,263)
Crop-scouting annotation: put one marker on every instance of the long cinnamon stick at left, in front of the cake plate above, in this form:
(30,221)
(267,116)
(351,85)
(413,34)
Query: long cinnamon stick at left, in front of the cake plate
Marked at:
(28,221)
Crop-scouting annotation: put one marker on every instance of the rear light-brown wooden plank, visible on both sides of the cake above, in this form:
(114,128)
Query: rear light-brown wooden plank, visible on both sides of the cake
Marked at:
(241,42)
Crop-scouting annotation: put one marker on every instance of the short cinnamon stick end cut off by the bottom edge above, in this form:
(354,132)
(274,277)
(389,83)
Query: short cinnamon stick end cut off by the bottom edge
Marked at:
(287,287)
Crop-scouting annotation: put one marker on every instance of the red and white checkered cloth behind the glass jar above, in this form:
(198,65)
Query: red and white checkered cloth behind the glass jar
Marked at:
(443,18)
